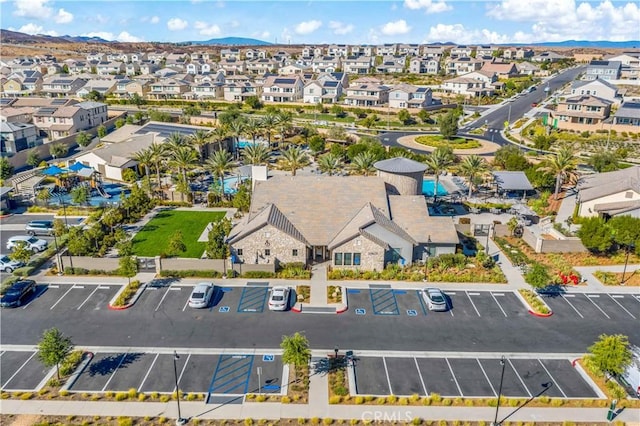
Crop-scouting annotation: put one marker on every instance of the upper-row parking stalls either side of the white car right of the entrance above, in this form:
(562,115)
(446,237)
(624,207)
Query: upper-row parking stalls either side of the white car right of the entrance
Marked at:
(383,300)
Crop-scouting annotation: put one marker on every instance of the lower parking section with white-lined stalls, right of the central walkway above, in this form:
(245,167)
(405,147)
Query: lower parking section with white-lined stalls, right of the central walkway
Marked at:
(469,377)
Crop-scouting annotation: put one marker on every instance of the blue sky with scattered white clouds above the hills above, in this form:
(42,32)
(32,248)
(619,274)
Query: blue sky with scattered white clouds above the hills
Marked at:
(322,21)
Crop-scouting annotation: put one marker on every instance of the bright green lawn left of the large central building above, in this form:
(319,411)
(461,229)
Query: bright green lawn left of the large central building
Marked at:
(153,239)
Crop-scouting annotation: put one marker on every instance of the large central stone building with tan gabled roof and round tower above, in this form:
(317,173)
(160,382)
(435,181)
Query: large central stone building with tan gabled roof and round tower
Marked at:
(364,225)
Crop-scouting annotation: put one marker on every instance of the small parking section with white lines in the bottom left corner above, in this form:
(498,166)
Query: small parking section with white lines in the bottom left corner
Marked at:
(22,371)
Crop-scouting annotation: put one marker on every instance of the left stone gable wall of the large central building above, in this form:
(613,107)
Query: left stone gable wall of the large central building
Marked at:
(280,246)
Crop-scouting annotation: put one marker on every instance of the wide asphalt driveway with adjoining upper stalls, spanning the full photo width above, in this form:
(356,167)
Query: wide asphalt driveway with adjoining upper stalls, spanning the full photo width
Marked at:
(482,322)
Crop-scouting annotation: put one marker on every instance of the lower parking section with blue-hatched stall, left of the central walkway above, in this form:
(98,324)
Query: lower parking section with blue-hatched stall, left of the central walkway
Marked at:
(217,375)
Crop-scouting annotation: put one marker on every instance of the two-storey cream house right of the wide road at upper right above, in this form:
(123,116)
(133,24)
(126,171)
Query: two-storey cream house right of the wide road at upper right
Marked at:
(581,113)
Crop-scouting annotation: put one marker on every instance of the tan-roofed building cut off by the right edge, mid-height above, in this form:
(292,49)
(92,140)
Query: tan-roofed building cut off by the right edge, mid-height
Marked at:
(610,194)
